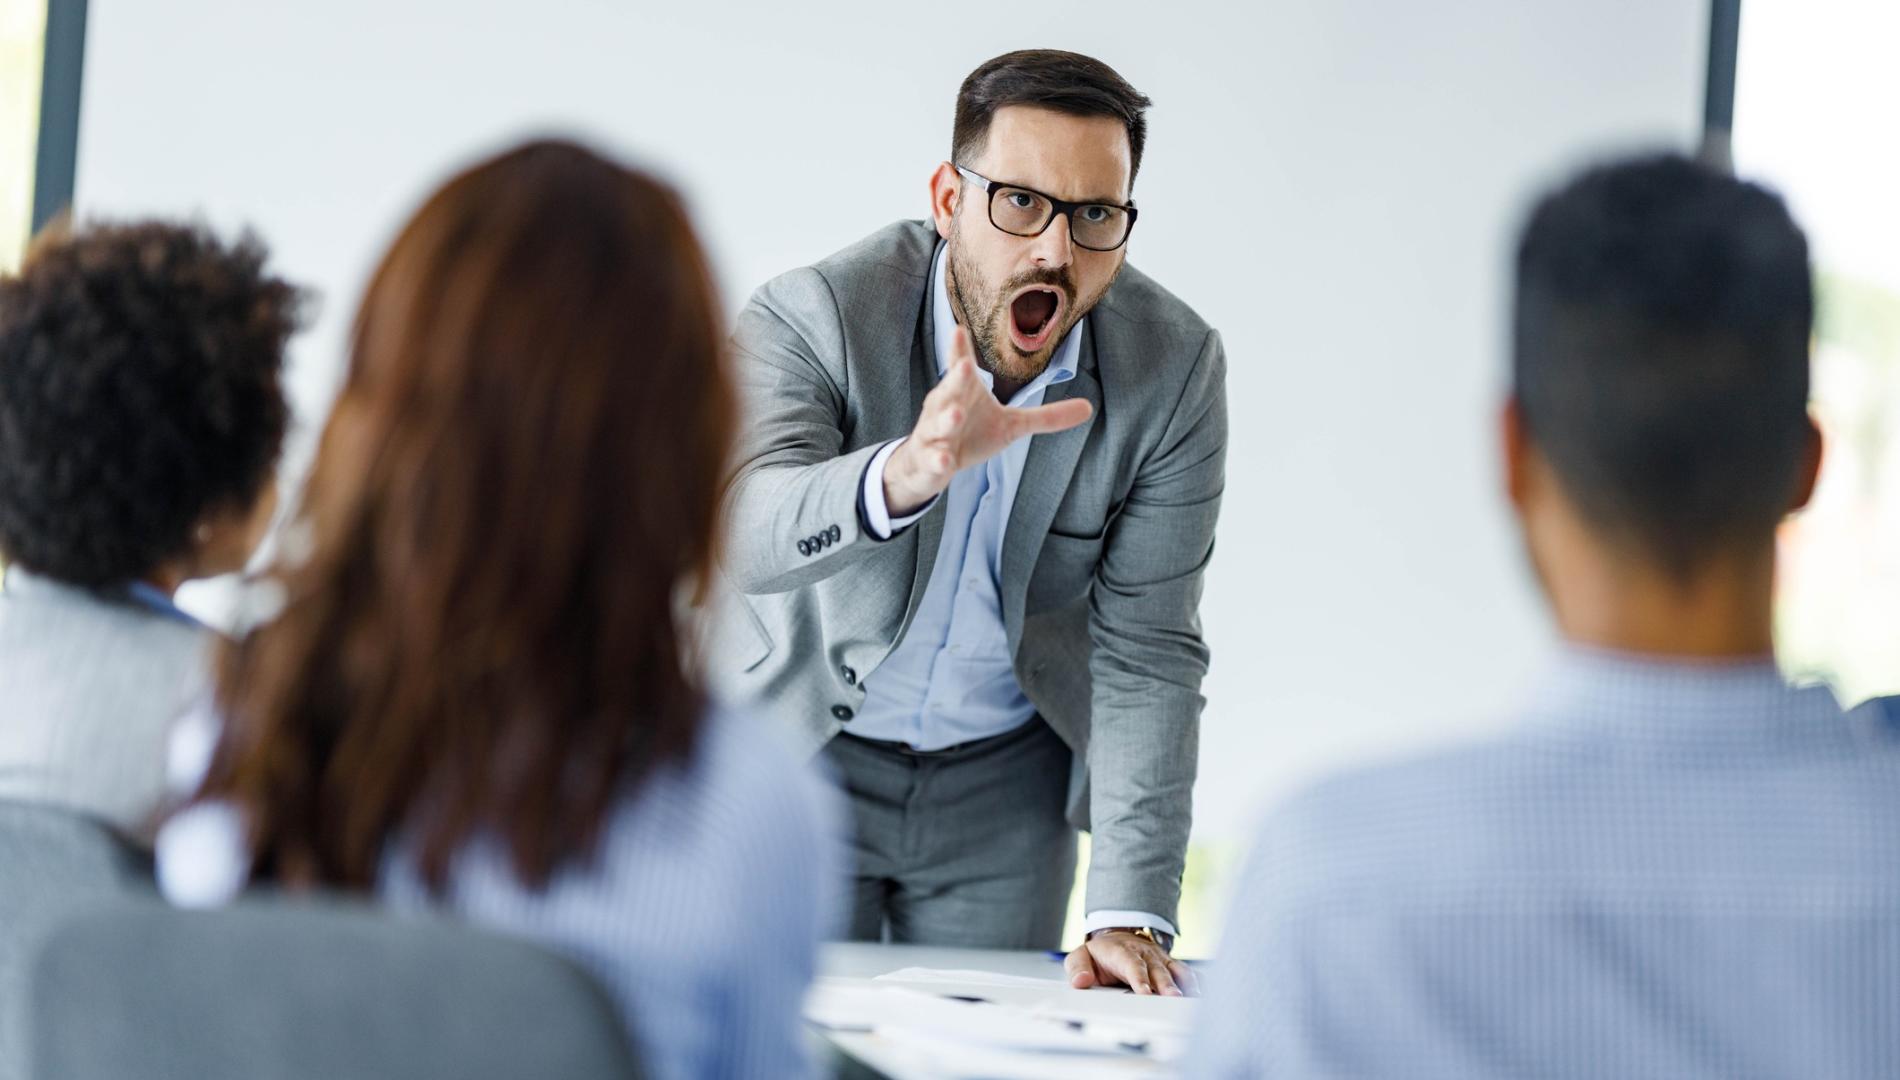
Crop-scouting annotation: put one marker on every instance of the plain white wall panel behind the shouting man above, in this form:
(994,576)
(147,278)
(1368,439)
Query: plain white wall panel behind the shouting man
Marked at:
(1331,183)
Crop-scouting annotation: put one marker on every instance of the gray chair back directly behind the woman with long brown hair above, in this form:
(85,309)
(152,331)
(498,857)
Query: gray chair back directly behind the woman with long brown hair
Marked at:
(309,992)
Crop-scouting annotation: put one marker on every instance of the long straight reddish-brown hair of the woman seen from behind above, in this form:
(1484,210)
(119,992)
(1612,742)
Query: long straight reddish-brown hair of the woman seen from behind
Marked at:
(516,484)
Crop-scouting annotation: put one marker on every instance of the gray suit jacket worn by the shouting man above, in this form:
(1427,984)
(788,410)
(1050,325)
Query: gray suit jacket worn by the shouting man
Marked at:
(1112,528)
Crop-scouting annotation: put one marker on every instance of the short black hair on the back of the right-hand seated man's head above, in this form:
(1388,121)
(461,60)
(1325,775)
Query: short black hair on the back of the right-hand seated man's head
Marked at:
(1662,355)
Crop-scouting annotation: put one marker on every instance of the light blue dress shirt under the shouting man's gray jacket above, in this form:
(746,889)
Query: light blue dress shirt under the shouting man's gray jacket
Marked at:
(953,680)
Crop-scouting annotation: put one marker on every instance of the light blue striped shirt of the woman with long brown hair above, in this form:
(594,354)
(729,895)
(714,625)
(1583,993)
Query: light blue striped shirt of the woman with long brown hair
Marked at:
(700,914)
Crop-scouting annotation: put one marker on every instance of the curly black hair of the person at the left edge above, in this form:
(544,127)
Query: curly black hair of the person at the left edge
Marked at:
(142,389)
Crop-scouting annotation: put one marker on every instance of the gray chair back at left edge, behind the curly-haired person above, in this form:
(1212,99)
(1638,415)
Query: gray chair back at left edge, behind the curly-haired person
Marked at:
(52,864)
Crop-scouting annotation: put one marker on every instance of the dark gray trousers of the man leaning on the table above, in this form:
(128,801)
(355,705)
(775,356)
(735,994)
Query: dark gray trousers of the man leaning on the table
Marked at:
(960,847)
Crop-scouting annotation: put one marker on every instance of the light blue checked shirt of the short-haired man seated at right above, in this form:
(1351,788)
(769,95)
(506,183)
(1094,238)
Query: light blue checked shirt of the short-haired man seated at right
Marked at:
(1669,870)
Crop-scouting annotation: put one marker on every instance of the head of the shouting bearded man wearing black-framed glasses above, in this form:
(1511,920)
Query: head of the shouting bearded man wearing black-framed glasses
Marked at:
(1036,125)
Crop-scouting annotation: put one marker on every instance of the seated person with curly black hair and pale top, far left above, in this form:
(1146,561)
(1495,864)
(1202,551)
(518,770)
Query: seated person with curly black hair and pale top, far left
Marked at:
(142,414)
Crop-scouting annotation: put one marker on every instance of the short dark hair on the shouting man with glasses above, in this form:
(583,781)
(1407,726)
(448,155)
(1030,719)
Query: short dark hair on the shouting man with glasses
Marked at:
(1048,79)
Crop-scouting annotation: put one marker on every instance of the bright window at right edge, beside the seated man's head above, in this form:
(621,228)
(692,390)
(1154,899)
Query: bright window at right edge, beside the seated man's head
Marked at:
(1814,104)
